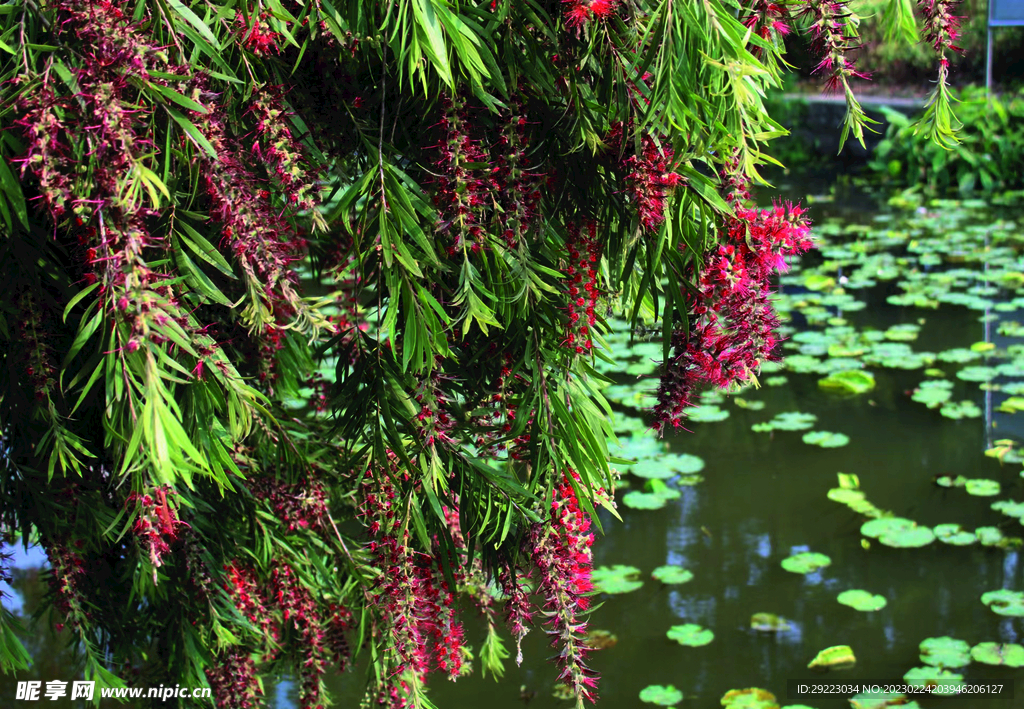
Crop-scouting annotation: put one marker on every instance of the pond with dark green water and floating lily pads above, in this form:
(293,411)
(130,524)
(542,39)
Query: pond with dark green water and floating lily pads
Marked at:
(923,297)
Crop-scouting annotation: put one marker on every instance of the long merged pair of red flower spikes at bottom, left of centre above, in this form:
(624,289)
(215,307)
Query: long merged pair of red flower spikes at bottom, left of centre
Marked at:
(417,604)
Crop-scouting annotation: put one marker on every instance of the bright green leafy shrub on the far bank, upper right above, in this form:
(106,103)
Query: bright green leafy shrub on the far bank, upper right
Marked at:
(989,157)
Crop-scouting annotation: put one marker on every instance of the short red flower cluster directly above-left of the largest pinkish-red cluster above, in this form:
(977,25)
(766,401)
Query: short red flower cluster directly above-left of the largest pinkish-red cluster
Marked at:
(649,180)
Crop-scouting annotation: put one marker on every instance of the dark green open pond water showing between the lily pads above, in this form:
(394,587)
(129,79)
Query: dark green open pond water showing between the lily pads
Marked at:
(763,499)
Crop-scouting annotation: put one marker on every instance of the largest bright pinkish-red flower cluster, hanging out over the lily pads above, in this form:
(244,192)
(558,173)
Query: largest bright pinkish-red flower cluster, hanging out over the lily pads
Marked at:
(734,320)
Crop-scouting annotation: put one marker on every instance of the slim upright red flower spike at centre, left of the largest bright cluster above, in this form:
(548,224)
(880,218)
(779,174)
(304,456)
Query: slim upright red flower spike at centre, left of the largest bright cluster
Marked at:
(581,286)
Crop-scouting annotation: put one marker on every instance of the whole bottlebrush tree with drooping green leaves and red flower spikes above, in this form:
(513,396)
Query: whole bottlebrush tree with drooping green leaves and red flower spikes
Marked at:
(204,202)
